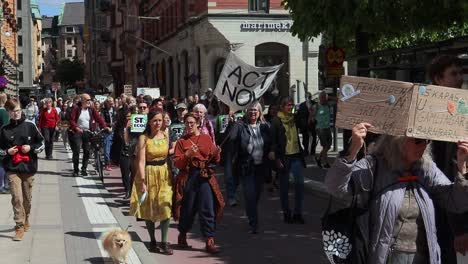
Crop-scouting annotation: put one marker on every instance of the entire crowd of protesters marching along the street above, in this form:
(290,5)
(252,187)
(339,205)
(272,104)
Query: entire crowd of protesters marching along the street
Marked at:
(176,169)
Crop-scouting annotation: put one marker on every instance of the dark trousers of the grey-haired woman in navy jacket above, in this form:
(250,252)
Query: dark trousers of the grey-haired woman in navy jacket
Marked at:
(252,183)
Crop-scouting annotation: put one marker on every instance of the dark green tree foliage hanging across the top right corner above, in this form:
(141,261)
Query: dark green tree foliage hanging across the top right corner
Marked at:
(394,23)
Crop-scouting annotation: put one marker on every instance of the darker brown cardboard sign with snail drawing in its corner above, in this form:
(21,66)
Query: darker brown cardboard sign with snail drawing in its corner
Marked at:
(384,104)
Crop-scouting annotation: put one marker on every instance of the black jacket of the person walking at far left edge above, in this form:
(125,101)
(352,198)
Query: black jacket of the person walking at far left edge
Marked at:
(18,133)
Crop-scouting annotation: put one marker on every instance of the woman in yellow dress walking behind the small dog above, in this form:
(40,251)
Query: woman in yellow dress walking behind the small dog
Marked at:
(153,177)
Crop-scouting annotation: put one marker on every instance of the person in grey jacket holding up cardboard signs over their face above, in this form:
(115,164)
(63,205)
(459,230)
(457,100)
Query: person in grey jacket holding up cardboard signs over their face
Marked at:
(404,184)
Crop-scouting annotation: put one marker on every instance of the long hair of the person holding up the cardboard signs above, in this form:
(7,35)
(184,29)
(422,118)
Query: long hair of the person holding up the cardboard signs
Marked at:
(390,150)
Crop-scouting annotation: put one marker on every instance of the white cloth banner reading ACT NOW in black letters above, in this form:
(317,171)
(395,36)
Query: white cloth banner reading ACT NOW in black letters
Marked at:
(240,83)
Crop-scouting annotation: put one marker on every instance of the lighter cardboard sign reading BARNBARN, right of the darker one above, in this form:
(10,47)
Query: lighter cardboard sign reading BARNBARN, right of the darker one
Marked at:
(439,113)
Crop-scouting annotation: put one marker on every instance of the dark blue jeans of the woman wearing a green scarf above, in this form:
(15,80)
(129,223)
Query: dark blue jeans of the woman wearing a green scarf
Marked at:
(295,166)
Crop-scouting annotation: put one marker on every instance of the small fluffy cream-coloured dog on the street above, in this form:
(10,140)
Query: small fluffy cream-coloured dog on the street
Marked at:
(117,243)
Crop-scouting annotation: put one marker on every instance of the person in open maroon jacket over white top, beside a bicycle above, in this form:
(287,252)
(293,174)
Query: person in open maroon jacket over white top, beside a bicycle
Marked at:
(84,118)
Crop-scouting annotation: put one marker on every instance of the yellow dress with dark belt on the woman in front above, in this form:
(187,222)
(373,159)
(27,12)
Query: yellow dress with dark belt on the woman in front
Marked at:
(158,203)
